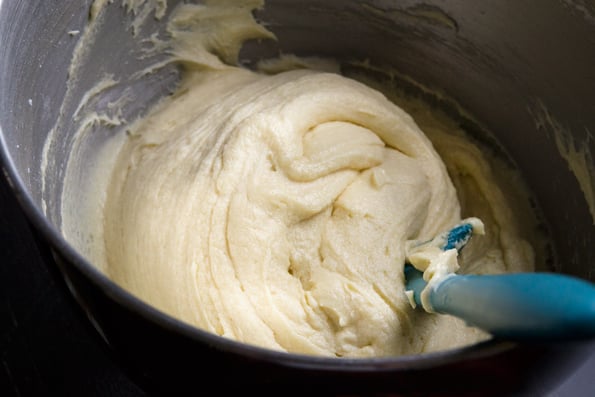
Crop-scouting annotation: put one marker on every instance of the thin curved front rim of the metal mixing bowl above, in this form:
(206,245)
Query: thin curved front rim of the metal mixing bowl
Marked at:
(122,297)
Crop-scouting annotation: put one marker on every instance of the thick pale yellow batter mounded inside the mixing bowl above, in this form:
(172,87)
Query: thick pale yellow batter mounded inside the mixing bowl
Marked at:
(276,209)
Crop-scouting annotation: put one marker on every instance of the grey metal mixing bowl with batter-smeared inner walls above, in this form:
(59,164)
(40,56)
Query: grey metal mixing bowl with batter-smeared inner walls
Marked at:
(526,73)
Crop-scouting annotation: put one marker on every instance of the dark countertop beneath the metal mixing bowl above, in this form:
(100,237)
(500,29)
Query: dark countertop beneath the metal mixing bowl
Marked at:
(49,348)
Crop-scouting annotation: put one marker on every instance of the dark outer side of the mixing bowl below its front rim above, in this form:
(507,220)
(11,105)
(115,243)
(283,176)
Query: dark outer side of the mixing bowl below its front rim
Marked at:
(165,356)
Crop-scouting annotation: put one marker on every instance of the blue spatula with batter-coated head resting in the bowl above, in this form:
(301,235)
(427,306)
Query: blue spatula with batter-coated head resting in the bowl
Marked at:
(519,306)
